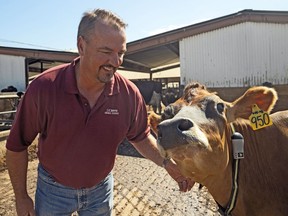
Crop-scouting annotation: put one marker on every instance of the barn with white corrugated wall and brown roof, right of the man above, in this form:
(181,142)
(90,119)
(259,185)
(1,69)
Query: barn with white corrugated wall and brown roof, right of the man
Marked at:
(228,54)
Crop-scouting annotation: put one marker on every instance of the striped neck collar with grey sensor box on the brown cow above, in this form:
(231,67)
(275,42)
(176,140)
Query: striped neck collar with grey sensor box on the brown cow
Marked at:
(235,171)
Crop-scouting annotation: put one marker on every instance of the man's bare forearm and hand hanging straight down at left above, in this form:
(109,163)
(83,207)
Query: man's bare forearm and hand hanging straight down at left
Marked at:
(17,163)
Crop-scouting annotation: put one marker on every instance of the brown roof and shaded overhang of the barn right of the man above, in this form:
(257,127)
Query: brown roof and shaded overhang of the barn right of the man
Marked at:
(158,52)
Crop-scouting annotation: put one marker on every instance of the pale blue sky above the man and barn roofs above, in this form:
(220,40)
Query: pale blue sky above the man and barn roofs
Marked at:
(53,24)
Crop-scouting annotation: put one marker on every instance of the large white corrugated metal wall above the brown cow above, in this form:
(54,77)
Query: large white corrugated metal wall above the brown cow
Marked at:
(242,55)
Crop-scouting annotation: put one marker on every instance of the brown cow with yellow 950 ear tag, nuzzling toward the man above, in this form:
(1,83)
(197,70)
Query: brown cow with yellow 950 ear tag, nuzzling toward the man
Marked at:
(198,133)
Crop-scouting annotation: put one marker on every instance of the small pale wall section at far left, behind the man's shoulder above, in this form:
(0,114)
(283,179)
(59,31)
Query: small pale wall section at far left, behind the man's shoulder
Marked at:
(12,72)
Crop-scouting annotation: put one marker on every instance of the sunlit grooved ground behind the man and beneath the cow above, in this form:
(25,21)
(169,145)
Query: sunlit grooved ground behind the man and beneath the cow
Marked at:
(141,189)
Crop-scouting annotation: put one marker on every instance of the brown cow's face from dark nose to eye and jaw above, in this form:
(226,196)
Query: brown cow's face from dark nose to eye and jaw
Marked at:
(194,138)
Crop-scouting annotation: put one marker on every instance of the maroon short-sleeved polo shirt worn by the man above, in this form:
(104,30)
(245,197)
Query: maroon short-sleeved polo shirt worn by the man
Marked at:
(77,144)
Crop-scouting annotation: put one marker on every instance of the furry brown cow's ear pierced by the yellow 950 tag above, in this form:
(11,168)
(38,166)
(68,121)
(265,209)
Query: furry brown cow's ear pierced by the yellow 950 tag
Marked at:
(264,97)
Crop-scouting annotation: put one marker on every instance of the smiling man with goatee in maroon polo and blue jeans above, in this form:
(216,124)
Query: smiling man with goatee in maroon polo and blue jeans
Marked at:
(81,111)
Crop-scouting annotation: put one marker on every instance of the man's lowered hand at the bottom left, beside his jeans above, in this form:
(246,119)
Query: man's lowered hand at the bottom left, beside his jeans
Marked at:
(25,207)
